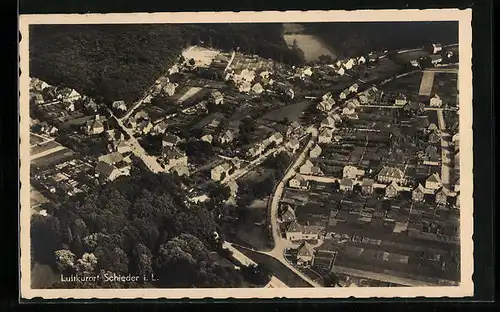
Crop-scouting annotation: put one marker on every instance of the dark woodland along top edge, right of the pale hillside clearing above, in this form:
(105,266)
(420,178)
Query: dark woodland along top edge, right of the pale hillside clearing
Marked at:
(358,38)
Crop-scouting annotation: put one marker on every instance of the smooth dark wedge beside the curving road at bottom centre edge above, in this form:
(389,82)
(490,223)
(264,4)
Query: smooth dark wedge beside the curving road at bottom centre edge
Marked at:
(279,270)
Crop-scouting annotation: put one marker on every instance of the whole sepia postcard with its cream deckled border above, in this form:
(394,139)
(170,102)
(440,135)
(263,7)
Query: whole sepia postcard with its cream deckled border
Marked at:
(246,155)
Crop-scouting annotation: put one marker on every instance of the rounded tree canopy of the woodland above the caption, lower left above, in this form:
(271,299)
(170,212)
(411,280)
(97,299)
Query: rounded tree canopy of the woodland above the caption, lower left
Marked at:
(136,225)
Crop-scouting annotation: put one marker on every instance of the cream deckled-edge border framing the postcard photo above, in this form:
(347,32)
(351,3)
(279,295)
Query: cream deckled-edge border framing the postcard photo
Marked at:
(464,17)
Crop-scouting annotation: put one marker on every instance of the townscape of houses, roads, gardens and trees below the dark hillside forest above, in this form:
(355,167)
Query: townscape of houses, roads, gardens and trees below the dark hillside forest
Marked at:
(235,168)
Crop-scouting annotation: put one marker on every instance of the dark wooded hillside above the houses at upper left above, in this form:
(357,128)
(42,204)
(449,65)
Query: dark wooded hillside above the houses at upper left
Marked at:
(115,62)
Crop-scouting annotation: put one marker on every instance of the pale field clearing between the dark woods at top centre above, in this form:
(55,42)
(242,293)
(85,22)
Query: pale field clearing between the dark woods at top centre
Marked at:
(312,46)
